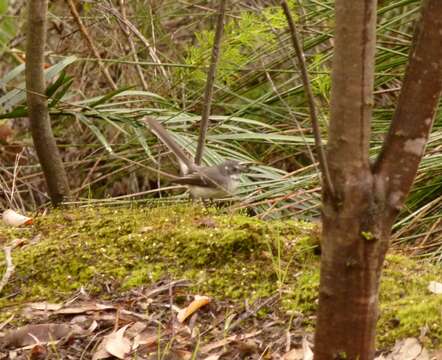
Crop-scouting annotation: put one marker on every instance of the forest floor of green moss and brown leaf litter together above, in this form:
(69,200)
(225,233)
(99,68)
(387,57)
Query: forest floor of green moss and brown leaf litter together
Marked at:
(187,282)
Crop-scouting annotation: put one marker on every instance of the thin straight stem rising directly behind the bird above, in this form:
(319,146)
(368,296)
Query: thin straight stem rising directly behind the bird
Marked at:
(208,95)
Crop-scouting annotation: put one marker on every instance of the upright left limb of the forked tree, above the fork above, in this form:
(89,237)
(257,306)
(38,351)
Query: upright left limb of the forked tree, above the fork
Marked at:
(352,96)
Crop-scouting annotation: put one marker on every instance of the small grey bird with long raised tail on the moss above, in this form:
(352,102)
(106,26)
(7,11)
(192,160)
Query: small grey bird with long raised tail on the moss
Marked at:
(204,182)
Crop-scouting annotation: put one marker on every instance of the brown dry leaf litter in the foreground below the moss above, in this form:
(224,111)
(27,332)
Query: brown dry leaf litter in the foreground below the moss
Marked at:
(149,323)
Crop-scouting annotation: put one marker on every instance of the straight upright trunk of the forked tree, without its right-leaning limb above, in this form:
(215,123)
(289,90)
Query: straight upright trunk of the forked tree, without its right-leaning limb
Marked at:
(350,264)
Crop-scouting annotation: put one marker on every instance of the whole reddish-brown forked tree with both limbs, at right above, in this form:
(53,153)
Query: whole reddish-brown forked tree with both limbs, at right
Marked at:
(357,219)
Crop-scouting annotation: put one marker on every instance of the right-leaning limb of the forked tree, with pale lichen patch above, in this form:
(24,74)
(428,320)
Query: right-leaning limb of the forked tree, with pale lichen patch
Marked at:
(404,145)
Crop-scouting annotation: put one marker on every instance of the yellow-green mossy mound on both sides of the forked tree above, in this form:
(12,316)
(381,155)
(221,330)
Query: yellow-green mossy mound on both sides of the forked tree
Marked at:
(228,256)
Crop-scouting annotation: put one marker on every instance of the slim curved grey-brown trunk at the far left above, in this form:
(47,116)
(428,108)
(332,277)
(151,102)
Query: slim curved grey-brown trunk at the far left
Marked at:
(41,130)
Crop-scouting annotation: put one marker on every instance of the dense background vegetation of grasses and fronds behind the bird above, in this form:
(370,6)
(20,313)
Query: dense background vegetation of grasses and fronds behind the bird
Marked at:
(260,111)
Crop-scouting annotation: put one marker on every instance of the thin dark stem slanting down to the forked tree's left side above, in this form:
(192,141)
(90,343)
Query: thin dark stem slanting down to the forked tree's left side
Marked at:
(306,82)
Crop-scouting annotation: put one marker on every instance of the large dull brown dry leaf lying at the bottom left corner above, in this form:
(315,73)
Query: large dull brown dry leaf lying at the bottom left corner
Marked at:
(27,335)
